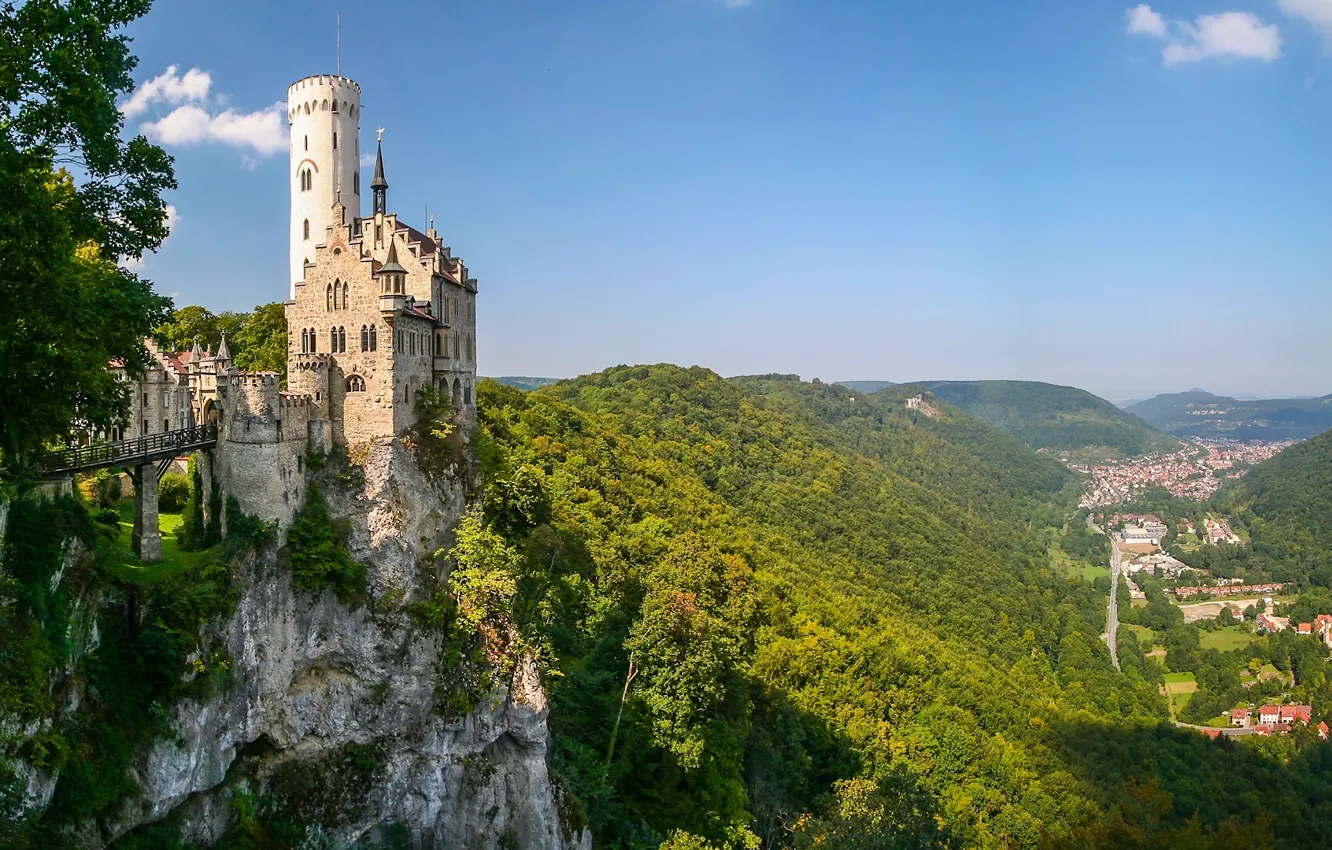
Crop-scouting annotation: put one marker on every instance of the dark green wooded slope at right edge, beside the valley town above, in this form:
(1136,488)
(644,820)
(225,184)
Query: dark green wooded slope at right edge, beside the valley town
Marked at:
(1286,504)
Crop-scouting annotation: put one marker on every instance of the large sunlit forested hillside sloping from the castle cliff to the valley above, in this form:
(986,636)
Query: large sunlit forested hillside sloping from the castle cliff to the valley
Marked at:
(831,619)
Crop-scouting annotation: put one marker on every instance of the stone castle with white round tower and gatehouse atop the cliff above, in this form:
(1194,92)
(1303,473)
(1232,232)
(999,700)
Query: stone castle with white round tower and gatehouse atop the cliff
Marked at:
(379,311)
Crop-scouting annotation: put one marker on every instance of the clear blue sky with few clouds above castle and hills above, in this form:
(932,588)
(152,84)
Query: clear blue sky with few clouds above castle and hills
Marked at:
(1130,201)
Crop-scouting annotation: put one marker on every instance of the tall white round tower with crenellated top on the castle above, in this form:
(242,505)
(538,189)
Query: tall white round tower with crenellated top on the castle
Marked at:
(326,118)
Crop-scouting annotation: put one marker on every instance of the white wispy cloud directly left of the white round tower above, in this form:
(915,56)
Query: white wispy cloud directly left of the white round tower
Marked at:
(199,117)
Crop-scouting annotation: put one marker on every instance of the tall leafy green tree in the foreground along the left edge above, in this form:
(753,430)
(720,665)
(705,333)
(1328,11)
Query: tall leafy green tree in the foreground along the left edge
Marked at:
(66,307)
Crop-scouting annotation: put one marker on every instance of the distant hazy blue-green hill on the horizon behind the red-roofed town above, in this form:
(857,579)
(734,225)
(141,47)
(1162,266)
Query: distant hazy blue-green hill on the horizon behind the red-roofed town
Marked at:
(1203,415)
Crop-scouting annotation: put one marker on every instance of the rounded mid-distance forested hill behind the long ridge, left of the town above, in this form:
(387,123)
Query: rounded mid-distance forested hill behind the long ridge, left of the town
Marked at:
(1046,416)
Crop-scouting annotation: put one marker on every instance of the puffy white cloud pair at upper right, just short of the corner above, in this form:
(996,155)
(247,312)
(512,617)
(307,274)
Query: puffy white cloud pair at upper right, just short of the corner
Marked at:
(1235,35)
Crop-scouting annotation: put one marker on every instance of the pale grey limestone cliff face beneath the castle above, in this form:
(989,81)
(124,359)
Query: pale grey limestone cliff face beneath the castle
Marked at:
(311,677)
